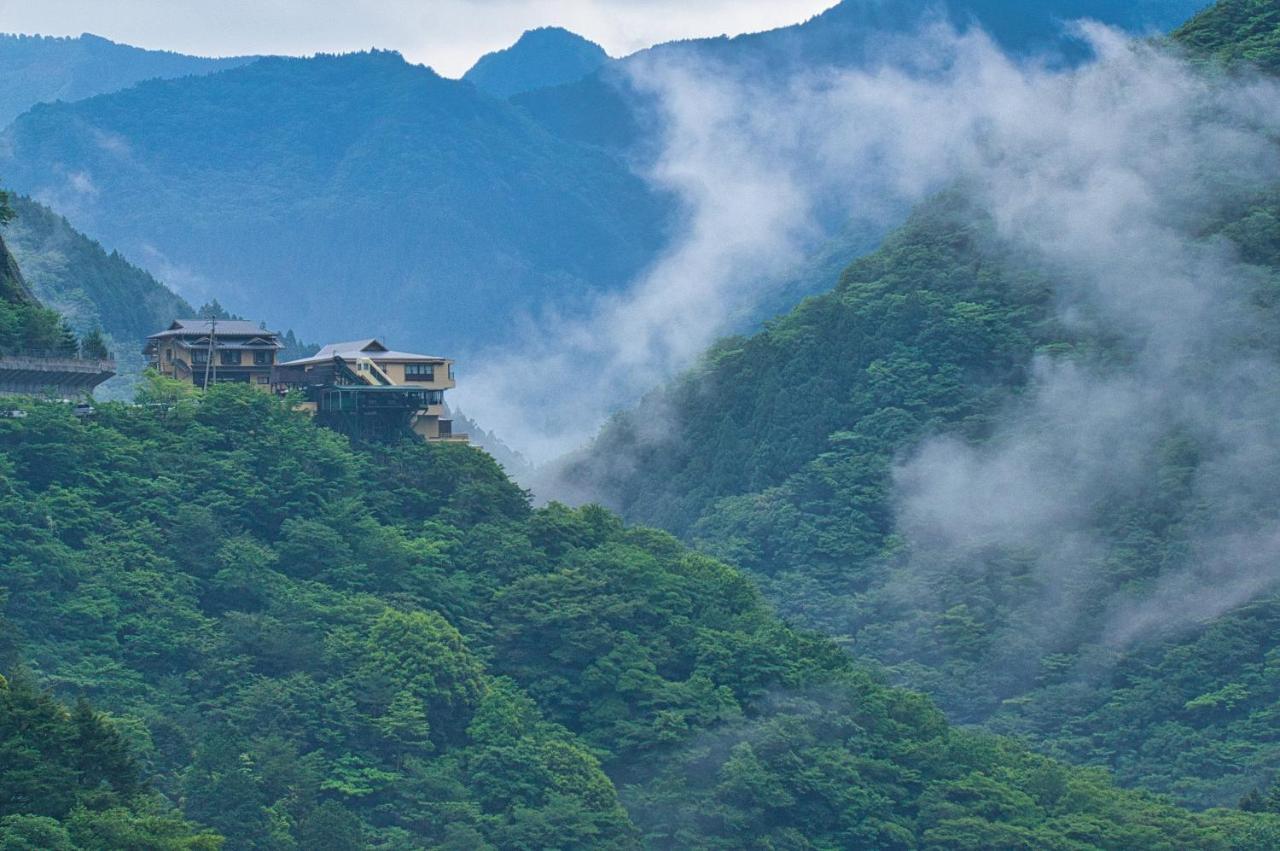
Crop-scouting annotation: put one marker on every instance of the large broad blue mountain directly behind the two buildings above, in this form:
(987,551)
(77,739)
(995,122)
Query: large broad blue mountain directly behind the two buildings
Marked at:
(342,193)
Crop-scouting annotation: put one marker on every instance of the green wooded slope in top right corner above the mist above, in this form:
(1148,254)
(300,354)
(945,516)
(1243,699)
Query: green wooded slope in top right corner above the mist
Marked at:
(1236,33)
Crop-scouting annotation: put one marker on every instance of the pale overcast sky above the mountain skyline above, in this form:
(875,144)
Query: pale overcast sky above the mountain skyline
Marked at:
(449,35)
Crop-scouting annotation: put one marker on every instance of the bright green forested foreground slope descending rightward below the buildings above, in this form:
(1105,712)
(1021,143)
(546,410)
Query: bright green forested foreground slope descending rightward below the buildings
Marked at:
(390,648)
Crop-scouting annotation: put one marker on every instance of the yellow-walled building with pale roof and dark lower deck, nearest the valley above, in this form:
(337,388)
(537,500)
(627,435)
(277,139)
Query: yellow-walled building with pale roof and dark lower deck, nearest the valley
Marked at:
(371,392)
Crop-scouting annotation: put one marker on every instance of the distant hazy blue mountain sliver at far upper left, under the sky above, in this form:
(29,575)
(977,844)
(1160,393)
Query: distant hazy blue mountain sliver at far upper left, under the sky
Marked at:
(42,70)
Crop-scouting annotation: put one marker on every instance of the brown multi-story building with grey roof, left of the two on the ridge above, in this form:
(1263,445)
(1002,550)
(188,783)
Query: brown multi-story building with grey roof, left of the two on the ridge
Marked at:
(208,351)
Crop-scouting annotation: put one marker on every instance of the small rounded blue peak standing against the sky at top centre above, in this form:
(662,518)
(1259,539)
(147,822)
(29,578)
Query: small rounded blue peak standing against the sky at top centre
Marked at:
(542,58)
